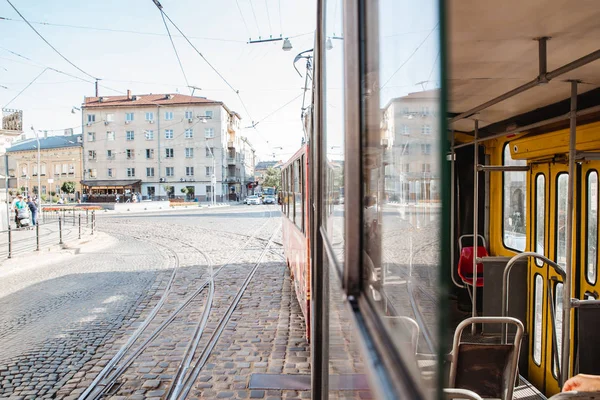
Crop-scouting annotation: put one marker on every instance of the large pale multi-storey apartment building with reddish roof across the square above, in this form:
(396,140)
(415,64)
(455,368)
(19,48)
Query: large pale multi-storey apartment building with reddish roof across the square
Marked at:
(163,146)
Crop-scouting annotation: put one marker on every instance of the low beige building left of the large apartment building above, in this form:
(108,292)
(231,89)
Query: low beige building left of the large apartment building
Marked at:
(60,162)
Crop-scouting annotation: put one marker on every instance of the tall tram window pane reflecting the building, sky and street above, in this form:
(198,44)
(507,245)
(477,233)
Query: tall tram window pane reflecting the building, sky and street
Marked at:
(401,183)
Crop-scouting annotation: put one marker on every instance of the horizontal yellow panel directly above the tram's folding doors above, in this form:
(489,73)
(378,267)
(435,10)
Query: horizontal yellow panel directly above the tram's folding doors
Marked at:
(550,144)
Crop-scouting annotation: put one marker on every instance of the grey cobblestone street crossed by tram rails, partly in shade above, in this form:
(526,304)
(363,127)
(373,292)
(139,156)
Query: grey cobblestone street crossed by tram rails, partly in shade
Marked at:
(123,310)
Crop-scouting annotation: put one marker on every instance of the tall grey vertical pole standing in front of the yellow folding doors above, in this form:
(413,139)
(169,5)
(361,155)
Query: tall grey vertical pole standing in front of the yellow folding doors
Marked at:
(568,290)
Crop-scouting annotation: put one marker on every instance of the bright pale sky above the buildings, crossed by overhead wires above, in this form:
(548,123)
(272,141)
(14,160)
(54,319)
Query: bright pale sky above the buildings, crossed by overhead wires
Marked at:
(143,59)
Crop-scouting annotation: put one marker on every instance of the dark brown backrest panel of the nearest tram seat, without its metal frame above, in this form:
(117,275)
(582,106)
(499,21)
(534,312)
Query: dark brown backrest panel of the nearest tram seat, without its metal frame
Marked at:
(482,368)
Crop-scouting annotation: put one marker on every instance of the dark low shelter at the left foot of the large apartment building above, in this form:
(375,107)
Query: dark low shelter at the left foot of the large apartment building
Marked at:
(106,191)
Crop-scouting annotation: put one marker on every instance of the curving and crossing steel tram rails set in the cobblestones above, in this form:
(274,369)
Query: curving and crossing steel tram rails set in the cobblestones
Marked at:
(106,383)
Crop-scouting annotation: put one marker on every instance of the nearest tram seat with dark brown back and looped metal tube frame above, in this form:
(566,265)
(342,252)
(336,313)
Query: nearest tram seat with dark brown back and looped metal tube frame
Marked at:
(490,370)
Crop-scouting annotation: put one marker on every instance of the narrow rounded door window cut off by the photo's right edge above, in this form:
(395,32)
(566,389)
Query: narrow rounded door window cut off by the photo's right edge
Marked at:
(591,256)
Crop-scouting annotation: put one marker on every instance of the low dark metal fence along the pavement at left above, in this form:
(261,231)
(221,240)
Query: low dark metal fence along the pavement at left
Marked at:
(53,228)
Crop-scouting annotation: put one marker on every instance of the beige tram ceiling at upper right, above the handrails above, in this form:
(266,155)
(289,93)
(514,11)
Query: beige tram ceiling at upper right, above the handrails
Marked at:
(494,54)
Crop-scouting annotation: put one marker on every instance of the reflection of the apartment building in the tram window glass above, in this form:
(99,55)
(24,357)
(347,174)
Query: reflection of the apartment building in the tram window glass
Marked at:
(409,134)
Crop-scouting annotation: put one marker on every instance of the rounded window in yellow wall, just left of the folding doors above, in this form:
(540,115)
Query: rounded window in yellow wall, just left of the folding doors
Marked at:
(514,189)
